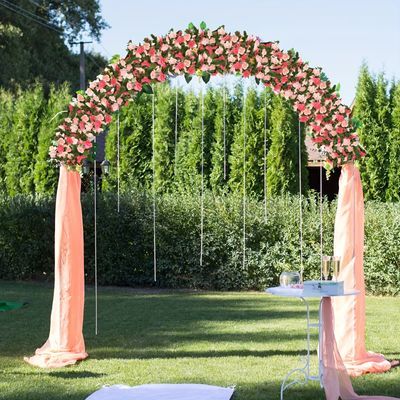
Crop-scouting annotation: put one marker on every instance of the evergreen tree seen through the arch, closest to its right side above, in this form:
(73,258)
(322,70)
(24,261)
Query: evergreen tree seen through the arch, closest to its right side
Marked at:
(283,159)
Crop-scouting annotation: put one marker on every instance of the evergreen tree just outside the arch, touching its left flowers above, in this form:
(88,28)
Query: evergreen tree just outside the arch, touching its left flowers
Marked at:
(45,173)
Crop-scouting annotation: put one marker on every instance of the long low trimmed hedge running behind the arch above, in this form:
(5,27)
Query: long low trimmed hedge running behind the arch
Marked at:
(125,241)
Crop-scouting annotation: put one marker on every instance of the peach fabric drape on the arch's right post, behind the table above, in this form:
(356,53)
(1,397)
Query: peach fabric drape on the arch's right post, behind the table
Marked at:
(349,245)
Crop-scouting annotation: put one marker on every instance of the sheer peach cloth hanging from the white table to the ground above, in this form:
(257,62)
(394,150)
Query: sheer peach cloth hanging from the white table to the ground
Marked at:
(336,381)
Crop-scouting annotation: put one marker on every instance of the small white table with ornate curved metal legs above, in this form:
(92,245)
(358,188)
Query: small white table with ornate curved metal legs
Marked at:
(303,295)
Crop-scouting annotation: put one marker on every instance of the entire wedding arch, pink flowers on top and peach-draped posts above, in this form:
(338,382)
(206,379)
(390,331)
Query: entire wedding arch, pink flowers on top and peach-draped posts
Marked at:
(203,52)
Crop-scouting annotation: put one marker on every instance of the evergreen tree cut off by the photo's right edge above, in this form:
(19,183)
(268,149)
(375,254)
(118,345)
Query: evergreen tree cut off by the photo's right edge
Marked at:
(393,191)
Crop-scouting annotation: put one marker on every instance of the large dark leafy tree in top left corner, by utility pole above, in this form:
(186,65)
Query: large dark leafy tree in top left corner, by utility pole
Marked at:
(33,36)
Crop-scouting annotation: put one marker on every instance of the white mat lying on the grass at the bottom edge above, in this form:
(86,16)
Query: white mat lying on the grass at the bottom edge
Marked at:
(162,392)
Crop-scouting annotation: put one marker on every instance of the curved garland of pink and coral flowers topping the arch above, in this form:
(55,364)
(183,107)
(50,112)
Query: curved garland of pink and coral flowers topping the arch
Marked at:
(201,51)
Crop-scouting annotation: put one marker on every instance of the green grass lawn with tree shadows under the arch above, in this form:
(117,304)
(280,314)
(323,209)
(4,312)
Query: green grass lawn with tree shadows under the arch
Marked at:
(245,339)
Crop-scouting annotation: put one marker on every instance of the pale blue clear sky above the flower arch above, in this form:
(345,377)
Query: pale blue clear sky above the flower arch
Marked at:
(334,34)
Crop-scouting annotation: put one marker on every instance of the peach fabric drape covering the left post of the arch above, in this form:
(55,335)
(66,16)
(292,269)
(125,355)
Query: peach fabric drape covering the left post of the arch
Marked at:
(65,344)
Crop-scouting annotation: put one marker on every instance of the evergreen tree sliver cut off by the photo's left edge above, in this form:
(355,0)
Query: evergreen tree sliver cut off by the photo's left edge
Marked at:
(6,112)
